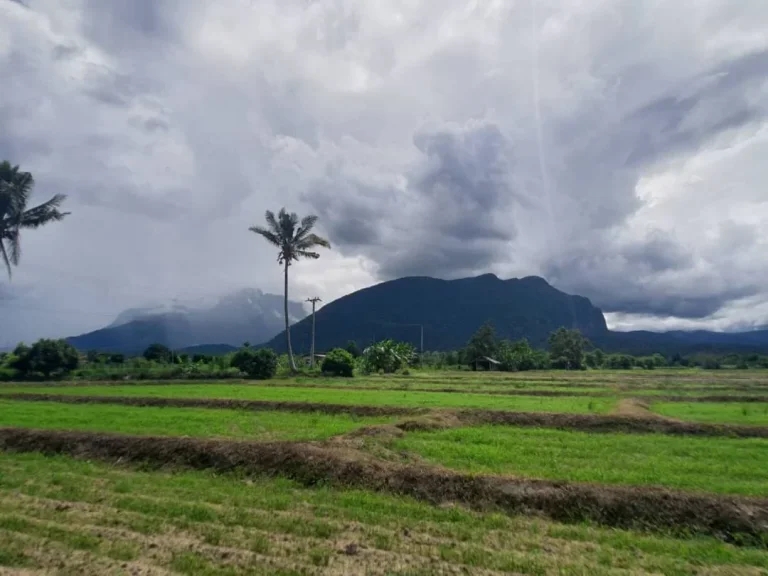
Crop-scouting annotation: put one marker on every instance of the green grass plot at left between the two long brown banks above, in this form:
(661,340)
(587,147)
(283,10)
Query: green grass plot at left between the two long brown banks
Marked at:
(200,422)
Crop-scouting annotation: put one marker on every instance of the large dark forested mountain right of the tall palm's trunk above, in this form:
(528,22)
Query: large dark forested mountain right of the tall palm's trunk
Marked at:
(450,311)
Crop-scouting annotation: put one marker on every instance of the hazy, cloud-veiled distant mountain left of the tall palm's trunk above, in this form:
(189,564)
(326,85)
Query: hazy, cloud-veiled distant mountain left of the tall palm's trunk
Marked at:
(246,315)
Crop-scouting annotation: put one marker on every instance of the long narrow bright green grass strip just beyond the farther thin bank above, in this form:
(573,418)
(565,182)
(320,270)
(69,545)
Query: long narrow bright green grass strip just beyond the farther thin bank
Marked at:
(334,396)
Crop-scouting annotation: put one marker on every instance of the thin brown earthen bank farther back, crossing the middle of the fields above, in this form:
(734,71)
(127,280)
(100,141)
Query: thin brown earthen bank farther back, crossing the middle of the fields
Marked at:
(426,419)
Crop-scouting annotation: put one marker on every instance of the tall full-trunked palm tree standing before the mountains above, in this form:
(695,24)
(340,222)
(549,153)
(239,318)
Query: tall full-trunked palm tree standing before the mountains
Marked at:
(294,240)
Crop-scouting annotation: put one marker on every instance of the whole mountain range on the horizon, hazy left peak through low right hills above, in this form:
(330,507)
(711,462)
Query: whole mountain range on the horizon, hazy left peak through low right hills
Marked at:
(450,311)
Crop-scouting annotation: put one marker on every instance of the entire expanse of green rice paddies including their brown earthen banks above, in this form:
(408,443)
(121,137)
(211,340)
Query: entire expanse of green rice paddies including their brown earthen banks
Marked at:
(596,472)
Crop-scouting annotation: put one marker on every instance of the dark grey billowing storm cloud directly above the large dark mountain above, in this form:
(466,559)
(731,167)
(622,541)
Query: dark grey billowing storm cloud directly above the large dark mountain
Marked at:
(450,220)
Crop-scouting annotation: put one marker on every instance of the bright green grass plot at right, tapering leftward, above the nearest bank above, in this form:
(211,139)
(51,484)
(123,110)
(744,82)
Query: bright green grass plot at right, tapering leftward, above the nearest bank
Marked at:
(722,465)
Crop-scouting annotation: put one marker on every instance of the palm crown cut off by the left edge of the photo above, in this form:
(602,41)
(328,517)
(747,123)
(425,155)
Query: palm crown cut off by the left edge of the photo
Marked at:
(15,190)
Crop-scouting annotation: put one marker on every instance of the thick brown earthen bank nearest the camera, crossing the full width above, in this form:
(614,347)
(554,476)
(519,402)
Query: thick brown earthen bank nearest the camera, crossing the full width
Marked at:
(741,520)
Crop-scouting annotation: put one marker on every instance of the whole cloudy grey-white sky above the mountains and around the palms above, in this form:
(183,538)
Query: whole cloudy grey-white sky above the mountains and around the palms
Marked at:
(616,148)
